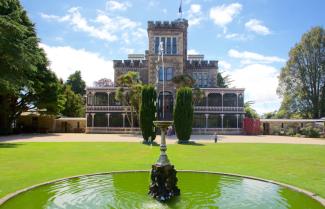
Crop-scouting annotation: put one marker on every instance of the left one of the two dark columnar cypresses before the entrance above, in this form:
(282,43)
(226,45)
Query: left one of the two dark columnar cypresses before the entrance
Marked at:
(148,112)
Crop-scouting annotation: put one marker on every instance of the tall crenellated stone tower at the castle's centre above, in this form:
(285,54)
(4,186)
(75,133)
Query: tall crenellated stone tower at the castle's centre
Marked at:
(173,35)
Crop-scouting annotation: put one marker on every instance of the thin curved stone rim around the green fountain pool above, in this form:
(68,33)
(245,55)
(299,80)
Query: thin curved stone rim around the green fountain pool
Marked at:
(310,194)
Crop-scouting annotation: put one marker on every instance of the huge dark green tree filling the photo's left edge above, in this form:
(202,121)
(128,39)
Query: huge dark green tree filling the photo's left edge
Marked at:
(25,80)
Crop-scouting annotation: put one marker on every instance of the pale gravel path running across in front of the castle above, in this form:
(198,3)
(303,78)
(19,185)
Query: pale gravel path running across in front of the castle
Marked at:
(76,137)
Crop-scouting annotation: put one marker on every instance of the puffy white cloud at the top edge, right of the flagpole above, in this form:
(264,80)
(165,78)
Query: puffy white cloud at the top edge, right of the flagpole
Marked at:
(224,14)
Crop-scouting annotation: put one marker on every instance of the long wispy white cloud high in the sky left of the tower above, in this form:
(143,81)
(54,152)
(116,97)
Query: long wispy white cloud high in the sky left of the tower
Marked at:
(104,27)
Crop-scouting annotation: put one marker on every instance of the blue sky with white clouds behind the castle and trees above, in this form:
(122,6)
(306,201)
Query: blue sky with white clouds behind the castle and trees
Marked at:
(250,38)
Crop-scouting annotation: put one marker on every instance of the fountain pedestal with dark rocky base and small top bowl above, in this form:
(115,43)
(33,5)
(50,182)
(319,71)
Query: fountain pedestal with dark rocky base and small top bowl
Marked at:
(163,175)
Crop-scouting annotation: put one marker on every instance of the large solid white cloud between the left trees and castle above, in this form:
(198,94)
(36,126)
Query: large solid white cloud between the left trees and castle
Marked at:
(65,60)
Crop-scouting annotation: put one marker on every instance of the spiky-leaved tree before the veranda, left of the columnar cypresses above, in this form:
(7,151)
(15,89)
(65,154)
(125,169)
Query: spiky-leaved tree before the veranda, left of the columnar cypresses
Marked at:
(128,94)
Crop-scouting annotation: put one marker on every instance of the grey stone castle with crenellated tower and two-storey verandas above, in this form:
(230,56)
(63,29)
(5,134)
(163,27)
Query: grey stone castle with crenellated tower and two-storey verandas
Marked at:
(221,110)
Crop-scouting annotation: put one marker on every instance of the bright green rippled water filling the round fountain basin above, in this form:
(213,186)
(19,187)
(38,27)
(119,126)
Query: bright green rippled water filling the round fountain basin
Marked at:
(129,190)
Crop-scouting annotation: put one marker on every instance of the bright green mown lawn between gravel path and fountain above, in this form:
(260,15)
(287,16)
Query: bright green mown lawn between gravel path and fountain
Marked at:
(26,164)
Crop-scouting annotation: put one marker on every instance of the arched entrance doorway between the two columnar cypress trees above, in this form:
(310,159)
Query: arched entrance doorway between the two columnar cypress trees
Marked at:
(168,106)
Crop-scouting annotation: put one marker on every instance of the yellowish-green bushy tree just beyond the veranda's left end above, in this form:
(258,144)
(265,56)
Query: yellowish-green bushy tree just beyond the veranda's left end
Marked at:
(74,104)
